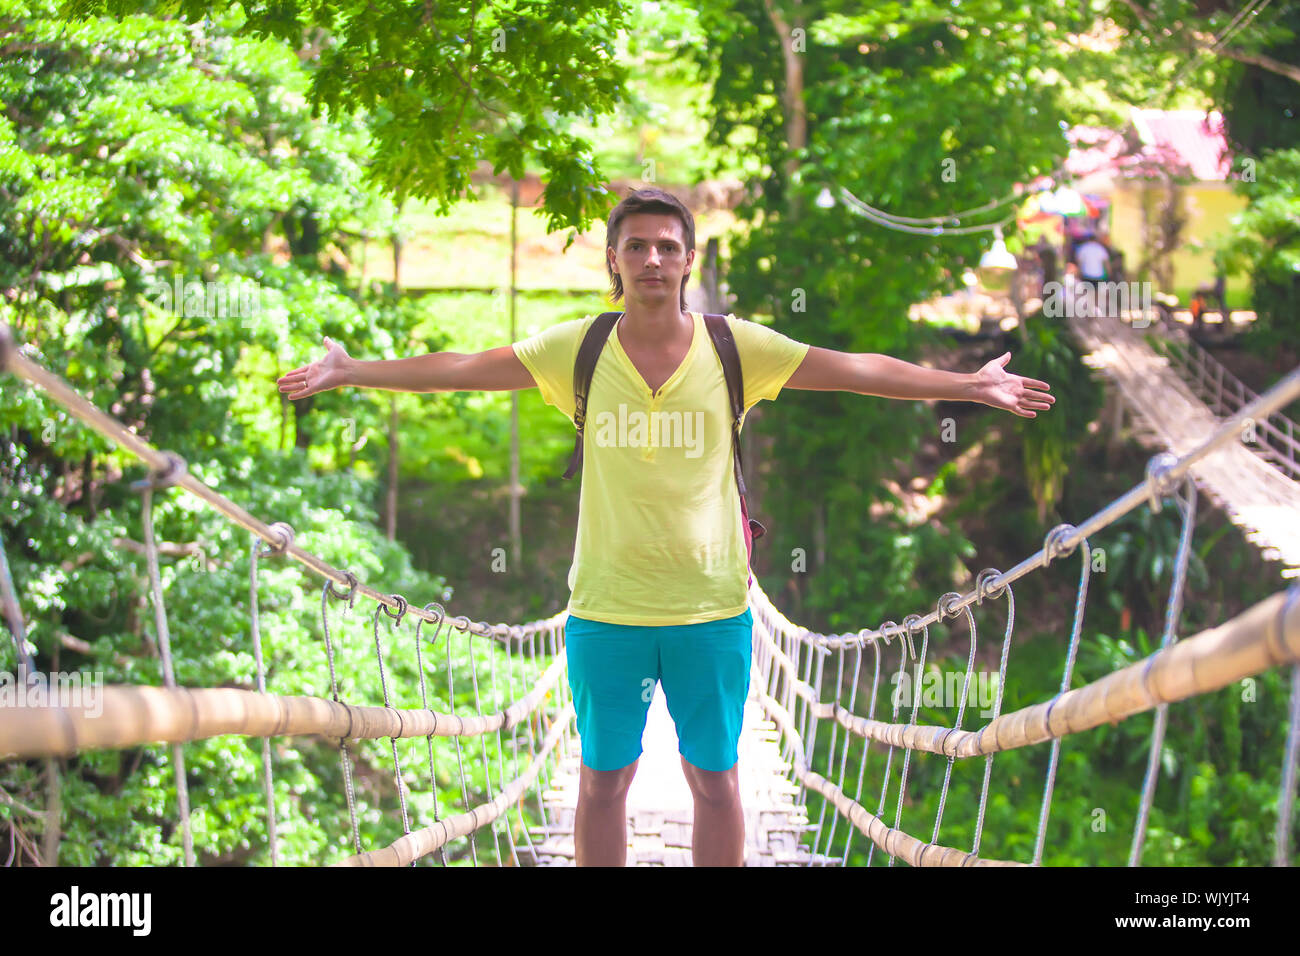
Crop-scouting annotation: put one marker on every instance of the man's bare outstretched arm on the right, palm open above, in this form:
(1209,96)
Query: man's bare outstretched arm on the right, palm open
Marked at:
(872,374)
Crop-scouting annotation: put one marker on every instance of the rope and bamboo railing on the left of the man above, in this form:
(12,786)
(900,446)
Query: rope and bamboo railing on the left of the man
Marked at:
(127,716)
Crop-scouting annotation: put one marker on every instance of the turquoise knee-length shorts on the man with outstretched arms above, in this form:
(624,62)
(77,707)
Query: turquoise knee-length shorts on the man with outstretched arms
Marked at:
(613,672)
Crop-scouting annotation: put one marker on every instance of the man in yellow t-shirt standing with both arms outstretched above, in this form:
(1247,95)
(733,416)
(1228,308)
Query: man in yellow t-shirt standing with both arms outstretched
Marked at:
(660,569)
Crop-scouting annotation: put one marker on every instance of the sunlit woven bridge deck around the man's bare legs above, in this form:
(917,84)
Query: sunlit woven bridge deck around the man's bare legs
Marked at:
(661,808)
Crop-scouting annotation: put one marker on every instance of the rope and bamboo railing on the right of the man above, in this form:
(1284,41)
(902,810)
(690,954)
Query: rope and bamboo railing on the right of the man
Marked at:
(791,661)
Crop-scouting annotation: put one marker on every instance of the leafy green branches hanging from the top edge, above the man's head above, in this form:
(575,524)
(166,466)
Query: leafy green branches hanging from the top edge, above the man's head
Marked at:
(448,88)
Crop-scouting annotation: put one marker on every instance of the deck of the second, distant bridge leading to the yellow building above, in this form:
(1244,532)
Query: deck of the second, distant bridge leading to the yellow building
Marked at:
(1256,498)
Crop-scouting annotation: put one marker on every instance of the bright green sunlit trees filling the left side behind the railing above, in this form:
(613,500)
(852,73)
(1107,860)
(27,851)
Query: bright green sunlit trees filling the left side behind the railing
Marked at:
(140,152)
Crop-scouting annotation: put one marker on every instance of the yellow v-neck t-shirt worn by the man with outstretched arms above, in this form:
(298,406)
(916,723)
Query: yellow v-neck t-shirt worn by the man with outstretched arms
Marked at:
(660,538)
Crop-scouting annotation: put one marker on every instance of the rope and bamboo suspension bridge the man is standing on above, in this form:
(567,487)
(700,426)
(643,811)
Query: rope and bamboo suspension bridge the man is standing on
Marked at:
(807,689)
